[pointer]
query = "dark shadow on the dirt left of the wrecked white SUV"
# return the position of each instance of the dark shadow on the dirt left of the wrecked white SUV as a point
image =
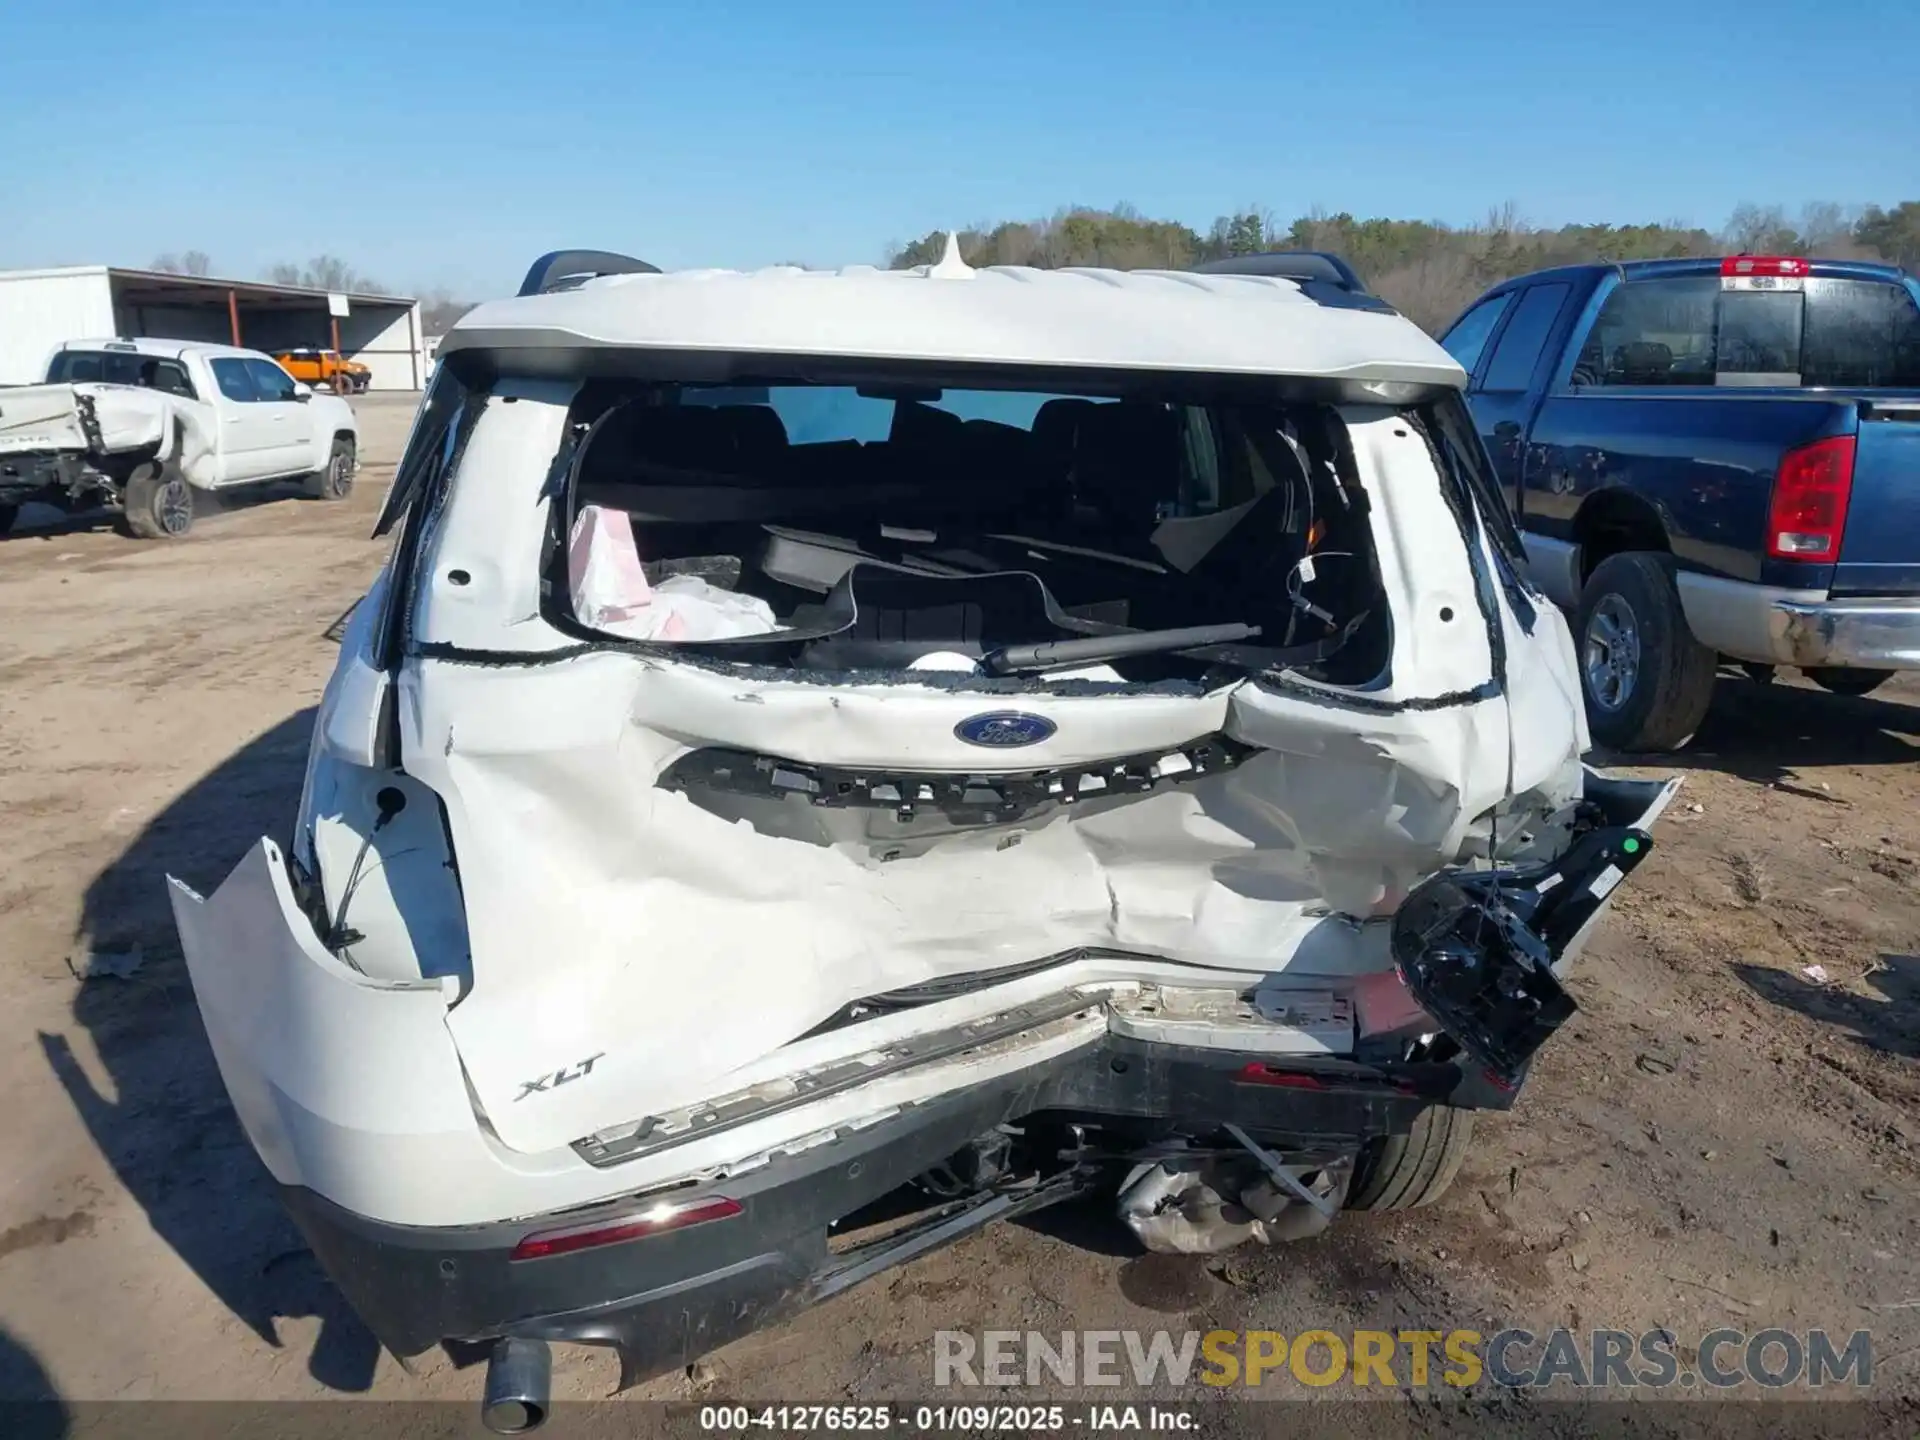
(164, 1120)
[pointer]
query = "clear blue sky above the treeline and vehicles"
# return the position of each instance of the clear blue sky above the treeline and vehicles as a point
(452, 143)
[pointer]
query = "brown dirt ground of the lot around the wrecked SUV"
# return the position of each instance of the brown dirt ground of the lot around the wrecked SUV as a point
(1717, 1140)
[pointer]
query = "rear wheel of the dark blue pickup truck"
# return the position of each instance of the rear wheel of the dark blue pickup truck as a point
(1646, 681)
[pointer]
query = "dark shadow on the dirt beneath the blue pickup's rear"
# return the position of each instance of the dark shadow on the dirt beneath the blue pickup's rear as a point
(1767, 734)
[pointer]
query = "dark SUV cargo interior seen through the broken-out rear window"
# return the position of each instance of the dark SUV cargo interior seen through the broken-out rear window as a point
(890, 525)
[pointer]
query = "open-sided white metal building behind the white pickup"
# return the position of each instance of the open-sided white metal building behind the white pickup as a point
(39, 310)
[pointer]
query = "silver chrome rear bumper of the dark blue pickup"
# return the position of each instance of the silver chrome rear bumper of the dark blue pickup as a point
(1802, 629)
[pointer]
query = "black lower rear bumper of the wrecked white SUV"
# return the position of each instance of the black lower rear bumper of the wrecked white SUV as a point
(667, 1299)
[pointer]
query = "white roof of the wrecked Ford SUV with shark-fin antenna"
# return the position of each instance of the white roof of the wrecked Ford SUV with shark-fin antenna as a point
(999, 316)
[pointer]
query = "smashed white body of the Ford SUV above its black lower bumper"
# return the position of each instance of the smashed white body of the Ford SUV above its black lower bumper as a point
(640, 911)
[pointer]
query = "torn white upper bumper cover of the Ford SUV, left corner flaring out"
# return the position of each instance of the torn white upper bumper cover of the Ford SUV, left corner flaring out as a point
(352, 1086)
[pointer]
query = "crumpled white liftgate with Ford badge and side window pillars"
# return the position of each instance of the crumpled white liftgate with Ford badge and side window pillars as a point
(608, 913)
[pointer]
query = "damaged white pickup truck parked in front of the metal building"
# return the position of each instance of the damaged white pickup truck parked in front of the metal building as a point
(141, 425)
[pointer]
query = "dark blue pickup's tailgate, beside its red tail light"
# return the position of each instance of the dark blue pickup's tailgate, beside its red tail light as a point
(1881, 552)
